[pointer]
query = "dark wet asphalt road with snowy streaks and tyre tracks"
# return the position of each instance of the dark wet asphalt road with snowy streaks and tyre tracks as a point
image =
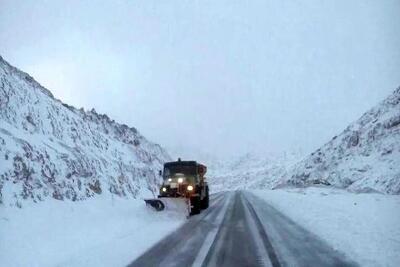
(240, 229)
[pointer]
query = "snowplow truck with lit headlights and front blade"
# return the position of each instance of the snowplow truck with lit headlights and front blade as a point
(184, 188)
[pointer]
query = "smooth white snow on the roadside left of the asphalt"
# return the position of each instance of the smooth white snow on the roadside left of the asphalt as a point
(101, 231)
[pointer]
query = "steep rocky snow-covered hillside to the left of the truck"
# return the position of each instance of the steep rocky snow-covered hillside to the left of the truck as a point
(49, 149)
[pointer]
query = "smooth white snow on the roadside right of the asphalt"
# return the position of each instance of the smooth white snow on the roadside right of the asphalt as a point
(363, 226)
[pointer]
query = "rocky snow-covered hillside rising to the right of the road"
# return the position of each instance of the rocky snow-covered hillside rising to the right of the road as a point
(364, 157)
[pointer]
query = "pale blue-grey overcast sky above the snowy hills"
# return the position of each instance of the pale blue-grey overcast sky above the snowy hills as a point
(216, 77)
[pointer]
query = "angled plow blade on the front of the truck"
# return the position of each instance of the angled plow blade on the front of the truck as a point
(180, 205)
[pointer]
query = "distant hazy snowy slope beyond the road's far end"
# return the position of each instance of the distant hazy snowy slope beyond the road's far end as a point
(249, 171)
